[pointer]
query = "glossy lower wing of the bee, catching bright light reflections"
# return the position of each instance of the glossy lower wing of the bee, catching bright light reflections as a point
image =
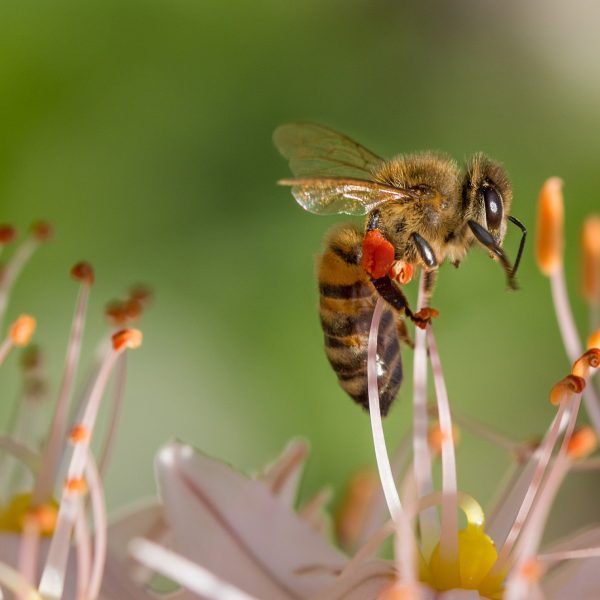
(335, 195)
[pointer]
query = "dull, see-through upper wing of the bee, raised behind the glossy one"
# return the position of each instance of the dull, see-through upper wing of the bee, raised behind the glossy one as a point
(317, 151)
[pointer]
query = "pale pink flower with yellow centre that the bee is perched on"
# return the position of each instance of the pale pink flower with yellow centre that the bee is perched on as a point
(239, 538)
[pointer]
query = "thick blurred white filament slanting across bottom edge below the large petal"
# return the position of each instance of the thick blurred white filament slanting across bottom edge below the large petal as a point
(185, 572)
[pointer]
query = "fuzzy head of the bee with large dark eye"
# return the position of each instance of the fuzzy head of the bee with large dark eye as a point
(487, 195)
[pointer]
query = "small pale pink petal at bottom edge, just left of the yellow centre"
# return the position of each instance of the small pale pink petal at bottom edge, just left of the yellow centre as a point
(365, 582)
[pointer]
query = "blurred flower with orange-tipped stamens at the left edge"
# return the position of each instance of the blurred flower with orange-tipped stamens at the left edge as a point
(43, 503)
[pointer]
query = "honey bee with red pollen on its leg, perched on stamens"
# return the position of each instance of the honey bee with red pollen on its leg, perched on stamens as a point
(421, 209)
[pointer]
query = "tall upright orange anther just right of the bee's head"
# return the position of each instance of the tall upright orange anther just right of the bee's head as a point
(549, 242)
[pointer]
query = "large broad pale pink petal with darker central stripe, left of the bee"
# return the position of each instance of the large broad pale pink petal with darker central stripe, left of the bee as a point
(234, 527)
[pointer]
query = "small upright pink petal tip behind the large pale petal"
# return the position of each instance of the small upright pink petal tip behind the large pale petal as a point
(284, 474)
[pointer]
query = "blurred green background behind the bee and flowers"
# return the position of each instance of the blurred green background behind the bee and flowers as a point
(142, 130)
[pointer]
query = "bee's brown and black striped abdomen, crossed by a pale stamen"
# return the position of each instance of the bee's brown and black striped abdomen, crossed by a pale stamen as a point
(346, 307)
